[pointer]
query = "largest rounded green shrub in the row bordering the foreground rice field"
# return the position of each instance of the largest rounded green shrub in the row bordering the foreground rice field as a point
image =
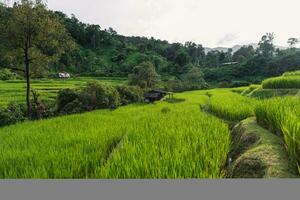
(98, 96)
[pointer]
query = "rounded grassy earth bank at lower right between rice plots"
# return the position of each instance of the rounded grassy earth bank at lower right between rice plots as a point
(257, 153)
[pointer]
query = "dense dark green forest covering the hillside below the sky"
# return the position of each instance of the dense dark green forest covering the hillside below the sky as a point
(104, 52)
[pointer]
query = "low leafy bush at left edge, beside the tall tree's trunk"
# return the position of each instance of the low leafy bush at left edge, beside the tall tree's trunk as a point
(12, 114)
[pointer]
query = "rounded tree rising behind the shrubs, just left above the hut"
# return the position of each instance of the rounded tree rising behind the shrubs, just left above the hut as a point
(144, 75)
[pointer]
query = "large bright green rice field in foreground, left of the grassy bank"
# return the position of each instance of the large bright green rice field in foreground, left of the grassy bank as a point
(165, 140)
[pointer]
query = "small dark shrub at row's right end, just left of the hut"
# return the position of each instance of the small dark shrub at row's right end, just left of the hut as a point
(130, 94)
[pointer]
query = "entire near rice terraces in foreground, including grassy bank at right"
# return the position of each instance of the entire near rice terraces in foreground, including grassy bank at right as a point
(220, 133)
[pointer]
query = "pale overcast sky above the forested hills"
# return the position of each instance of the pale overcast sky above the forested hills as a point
(208, 22)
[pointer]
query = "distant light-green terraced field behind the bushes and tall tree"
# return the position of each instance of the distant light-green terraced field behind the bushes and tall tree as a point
(14, 91)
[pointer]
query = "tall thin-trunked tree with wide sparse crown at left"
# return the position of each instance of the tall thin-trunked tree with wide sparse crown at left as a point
(36, 37)
